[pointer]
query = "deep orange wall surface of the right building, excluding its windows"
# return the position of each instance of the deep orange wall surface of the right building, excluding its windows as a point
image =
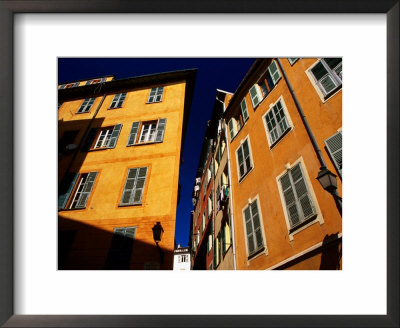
(325, 119)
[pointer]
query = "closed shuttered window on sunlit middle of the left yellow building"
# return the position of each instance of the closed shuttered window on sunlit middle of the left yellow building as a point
(134, 186)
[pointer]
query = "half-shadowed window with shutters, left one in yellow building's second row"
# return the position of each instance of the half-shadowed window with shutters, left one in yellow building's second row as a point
(102, 138)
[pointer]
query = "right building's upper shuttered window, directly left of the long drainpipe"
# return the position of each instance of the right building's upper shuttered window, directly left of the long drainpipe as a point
(276, 123)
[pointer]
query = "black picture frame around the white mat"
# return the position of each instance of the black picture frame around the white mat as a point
(7, 11)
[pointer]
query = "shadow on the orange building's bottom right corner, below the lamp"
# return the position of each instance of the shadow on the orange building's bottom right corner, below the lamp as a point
(326, 257)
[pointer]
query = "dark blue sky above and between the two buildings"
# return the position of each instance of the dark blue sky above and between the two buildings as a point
(212, 74)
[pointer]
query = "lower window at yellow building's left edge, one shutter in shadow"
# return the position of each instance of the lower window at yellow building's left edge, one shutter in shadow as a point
(75, 189)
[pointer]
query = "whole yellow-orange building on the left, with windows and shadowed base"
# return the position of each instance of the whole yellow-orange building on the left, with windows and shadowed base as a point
(120, 146)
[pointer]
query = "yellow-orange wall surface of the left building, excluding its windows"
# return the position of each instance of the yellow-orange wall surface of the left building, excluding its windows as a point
(102, 212)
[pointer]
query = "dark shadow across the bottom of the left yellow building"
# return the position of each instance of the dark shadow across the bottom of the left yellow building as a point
(84, 247)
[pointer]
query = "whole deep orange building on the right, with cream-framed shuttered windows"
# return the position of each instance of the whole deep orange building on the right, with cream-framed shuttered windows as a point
(284, 124)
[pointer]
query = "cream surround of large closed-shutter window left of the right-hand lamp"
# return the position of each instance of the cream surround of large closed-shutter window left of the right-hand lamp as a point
(314, 218)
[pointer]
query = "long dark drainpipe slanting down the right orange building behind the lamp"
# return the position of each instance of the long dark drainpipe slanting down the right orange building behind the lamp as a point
(318, 151)
